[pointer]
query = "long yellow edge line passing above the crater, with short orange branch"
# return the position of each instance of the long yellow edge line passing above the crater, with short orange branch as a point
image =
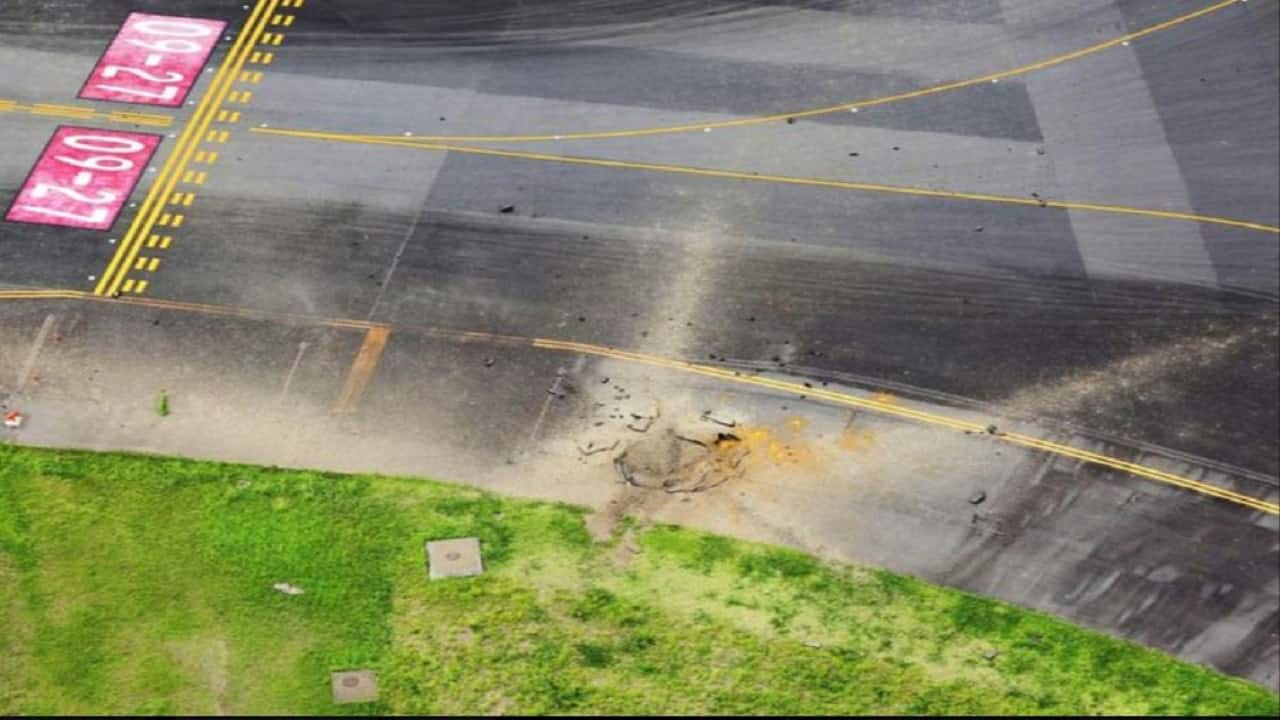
(876, 403)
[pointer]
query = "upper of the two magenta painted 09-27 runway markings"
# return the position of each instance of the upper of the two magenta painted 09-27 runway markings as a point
(154, 61)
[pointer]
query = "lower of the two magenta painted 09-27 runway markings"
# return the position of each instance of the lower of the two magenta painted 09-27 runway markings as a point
(84, 179)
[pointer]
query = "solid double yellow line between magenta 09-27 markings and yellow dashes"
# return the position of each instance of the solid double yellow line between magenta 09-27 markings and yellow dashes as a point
(190, 139)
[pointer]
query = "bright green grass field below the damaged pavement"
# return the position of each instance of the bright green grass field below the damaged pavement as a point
(144, 585)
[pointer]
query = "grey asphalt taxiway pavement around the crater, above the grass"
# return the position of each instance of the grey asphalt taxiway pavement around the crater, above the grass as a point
(1154, 336)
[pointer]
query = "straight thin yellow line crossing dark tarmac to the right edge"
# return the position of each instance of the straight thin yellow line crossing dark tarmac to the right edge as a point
(780, 180)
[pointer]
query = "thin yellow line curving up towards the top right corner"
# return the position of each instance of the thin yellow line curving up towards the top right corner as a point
(845, 107)
